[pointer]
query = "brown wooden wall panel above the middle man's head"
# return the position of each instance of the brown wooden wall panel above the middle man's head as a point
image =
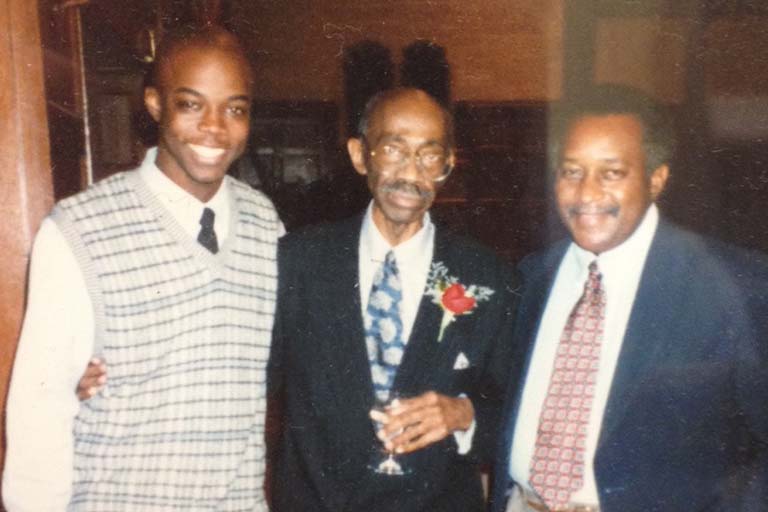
(498, 50)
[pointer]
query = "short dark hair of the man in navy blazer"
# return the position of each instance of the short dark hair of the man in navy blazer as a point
(659, 139)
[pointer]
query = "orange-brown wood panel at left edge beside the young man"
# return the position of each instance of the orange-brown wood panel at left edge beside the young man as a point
(25, 185)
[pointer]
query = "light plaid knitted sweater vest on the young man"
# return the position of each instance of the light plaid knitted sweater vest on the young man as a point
(185, 335)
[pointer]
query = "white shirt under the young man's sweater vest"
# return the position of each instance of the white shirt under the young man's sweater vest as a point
(57, 341)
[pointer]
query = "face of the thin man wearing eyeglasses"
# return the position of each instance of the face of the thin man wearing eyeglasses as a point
(401, 194)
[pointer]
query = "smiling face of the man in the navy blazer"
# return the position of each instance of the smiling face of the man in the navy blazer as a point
(602, 187)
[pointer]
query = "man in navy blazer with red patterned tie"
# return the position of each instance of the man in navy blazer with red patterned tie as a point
(644, 384)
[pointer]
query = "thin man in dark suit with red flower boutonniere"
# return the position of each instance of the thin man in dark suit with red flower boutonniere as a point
(387, 305)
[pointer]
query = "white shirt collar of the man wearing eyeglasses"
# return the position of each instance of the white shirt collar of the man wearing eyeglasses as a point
(373, 242)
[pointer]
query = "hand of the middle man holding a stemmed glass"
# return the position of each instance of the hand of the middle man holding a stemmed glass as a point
(411, 424)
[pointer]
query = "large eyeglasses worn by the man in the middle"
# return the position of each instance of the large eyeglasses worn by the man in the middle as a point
(432, 159)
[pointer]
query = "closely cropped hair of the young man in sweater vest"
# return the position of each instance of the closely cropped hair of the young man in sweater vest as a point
(203, 36)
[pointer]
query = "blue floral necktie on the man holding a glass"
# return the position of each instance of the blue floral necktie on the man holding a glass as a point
(384, 327)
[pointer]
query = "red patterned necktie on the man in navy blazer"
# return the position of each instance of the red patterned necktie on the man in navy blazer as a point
(557, 467)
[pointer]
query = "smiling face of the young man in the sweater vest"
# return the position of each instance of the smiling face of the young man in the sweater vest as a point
(202, 104)
